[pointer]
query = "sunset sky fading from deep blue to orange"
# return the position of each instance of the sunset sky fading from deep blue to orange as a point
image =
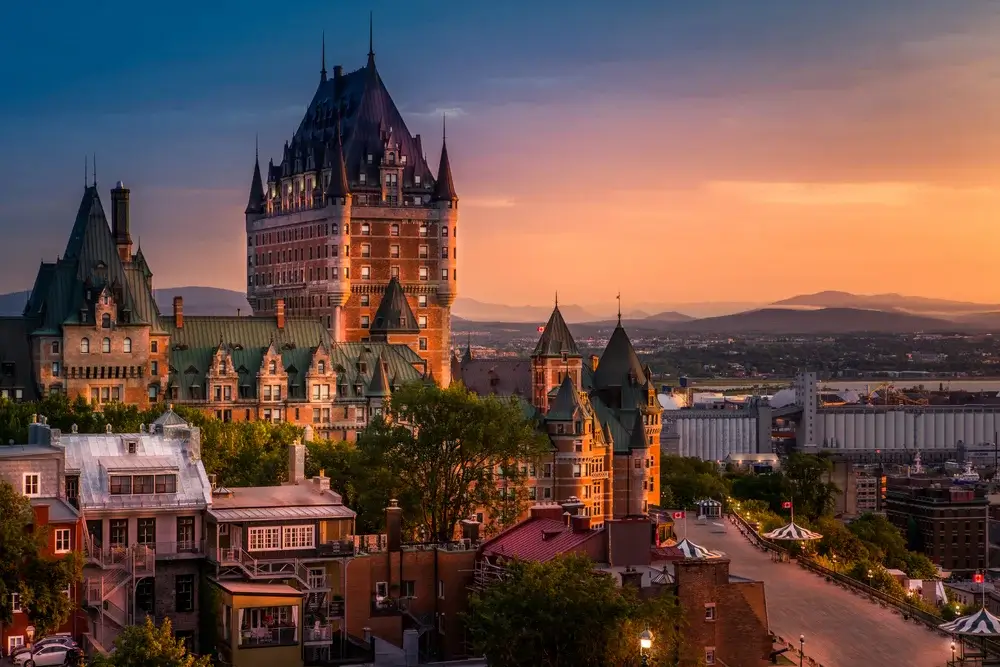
(673, 151)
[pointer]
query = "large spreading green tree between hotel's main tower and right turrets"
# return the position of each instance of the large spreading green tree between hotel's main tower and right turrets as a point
(454, 452)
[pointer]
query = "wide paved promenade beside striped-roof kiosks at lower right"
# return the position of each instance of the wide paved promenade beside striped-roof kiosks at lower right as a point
(841, 628)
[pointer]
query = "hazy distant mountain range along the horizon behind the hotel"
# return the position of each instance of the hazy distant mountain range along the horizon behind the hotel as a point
(820, 313)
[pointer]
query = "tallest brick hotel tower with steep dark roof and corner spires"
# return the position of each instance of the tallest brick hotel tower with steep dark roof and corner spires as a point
(352, 204)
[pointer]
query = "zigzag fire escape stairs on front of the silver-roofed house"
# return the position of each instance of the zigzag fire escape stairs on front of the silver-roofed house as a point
(119, 568)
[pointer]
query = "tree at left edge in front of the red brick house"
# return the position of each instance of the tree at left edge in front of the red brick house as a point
(26, 569)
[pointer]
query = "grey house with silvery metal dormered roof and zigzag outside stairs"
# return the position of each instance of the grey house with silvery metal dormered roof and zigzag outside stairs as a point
(143, 497)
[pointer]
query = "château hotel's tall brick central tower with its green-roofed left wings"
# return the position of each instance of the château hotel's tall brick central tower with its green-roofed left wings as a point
(351, 274)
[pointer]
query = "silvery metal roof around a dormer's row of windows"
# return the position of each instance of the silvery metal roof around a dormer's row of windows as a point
(92, 454)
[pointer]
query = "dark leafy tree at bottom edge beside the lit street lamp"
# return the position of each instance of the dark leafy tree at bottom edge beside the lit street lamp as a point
(561, 613)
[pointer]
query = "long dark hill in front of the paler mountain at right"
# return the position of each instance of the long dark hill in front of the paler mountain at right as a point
(823, 320)
